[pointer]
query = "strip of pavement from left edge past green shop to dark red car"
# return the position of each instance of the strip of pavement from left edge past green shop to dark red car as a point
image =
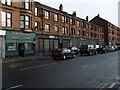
(27, 58)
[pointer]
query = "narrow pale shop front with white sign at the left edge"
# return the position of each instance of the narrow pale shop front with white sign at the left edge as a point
(2, 43)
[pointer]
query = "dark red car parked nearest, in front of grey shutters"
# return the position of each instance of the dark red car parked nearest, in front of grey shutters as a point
(63, 53)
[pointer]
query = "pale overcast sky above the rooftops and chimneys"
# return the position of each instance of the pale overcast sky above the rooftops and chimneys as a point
(107, 9)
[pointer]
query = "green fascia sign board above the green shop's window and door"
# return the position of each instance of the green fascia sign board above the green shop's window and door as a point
(17, 35)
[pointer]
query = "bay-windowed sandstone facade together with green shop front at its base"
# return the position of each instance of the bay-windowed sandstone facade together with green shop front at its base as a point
(17, 23)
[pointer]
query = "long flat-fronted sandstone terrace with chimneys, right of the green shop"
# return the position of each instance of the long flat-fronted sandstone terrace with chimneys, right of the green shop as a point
(57, 28)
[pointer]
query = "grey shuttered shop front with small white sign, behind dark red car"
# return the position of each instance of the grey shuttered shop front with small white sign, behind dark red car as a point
(45, 44)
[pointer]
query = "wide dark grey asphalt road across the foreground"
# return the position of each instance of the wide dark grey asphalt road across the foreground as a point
(80, 72)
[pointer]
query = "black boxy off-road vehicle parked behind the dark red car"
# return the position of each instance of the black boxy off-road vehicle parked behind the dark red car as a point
(87, 49)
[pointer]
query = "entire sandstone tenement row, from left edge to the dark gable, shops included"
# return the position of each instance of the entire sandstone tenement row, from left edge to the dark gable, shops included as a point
(29, 27)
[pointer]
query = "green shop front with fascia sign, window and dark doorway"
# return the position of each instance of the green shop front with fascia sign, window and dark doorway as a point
(19, 44)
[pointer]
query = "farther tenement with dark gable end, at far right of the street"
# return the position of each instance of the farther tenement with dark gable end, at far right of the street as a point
(111, 32)
